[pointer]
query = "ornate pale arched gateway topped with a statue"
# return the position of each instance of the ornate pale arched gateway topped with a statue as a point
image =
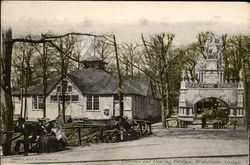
(210, 83)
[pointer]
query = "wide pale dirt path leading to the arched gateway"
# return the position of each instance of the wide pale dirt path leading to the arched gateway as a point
(165, 146)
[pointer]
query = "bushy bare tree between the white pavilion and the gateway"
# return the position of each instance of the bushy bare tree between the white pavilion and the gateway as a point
(158, 61)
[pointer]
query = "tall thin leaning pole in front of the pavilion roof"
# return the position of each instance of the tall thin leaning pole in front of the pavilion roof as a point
(120, 79)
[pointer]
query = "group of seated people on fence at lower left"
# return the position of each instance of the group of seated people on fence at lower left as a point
(49, 136)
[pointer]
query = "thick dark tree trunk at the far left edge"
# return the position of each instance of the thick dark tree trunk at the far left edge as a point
(7, 111)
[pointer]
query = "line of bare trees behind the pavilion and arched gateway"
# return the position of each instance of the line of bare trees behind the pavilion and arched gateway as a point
(35, 59)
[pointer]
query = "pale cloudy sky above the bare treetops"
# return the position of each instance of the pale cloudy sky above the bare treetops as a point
(127, 20)
